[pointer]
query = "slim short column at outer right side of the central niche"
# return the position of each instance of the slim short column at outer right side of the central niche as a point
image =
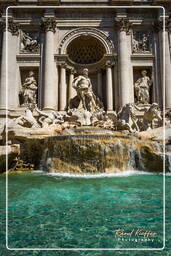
(109, 86)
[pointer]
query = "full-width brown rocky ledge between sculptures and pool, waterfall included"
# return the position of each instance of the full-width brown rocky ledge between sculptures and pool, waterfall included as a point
(87, 150)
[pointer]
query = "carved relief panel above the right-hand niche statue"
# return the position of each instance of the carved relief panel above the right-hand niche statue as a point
(141, 42)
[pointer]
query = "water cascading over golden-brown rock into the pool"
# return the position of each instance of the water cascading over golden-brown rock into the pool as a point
(91, 153)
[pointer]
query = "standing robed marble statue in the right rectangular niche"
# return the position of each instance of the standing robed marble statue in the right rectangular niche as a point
(142, 88)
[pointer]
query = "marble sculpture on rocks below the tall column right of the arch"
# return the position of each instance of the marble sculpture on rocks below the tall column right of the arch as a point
(127, 119)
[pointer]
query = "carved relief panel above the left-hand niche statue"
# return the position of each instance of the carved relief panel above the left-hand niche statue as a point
(29, 44)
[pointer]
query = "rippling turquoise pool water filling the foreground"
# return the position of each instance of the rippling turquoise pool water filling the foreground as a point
(62, 212)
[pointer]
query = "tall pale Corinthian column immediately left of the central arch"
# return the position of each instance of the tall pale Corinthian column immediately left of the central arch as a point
(50, 88)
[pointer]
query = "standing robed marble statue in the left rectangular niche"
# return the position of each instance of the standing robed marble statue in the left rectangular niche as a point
(29, 90)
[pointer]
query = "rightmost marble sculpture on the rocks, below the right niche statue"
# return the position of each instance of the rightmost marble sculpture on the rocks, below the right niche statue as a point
(151, 116)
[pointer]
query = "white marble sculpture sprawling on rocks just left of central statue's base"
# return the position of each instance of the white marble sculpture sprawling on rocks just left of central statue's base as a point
(47, 119)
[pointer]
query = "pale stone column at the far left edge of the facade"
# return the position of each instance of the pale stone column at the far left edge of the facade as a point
(9, 48)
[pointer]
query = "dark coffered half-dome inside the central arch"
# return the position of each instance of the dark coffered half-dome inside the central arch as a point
(85, 49)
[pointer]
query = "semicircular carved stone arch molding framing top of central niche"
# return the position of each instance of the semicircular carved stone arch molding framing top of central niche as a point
(108, 44)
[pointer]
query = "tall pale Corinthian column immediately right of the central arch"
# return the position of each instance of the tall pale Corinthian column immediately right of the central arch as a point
(126, 87)
